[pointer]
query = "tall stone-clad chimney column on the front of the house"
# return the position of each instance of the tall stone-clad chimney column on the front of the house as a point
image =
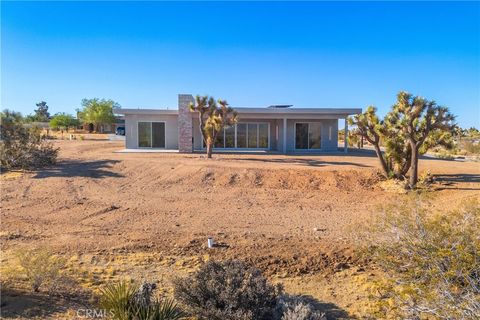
(185, 126)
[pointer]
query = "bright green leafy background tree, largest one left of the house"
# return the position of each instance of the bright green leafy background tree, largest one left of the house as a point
(98, 112)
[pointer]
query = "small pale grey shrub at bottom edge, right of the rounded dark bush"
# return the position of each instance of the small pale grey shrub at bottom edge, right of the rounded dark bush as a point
(297, 308)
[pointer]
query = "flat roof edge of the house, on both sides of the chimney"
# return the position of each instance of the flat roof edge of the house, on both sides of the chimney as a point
(250, 110)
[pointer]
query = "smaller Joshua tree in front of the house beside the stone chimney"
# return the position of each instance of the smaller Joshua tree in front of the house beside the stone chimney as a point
(213, 117)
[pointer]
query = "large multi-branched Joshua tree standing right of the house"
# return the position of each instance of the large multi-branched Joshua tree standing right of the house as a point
(413, 126)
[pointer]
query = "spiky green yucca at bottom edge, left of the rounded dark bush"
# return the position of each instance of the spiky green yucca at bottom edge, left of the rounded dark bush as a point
(126, 301)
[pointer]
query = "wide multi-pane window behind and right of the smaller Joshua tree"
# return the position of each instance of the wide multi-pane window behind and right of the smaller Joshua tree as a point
(244, 135)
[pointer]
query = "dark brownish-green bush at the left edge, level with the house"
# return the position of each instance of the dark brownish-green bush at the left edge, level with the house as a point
(22, 146)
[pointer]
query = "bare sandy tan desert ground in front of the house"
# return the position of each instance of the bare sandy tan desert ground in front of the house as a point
(147, 216)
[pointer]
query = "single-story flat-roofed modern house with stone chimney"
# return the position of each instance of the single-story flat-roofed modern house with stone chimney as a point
(276, 128)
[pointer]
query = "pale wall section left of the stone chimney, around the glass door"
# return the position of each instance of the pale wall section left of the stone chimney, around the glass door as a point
(171, 129)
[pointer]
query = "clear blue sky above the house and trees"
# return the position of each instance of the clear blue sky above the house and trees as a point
(310, 54)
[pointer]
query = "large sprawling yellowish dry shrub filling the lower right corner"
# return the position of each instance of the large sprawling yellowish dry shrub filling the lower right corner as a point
(432, 261)
